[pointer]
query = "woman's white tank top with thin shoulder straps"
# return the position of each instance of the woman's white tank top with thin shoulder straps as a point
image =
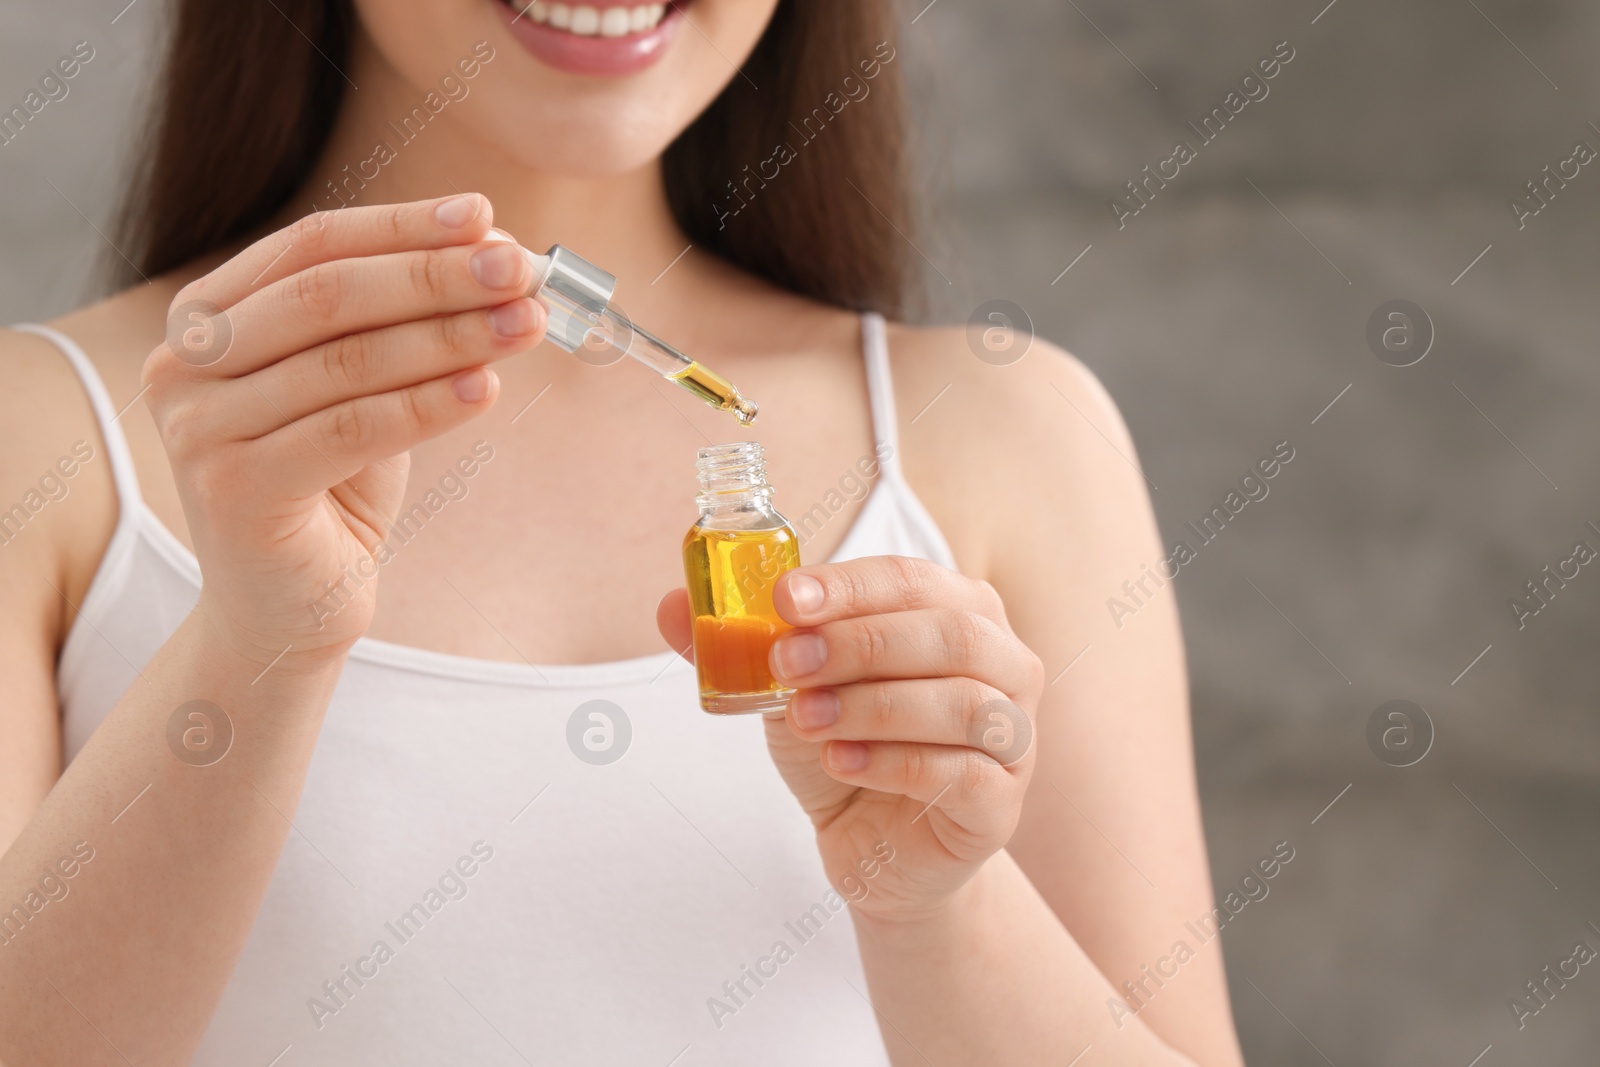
(462, 889)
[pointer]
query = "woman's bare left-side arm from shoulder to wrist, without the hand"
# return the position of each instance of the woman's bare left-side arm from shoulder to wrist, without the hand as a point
(100, 866)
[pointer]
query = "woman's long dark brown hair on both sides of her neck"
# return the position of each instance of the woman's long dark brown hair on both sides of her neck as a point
(783, 175)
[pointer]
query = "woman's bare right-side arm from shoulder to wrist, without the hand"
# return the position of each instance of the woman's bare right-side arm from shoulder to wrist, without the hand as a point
(1031, 959)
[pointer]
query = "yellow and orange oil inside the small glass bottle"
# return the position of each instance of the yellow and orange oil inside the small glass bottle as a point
(730, 580)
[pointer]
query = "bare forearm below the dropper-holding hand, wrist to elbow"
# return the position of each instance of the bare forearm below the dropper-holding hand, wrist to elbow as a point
(151, 868)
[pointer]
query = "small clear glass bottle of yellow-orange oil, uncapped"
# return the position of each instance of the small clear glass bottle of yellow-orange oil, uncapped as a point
(732, 559)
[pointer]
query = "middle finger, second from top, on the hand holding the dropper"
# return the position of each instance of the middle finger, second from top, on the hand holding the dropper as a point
(345, 297)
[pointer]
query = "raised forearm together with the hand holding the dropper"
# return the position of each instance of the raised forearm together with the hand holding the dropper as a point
(142, 873)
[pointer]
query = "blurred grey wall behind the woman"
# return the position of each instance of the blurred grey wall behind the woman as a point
(1226, 318)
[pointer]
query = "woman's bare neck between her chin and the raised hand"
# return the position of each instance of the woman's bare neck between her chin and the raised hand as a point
(618, 222)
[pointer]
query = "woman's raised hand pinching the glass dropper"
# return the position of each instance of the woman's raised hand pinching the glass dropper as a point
(294, 382)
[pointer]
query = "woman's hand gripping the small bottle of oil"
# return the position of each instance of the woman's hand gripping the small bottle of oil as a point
(913, 722)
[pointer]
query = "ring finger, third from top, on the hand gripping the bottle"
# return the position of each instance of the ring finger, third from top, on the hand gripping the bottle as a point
(927, 711)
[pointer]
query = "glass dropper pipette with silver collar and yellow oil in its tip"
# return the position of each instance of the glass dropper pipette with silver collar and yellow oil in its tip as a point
(578, 297)
